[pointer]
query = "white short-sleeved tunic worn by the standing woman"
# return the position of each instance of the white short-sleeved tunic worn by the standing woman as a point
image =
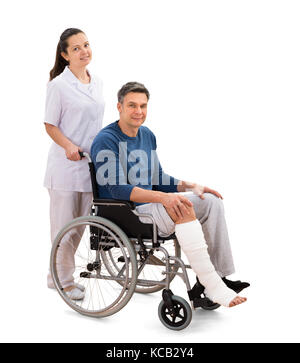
(77, 110)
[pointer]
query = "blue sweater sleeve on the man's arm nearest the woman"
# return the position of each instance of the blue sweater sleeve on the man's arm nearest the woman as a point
(110, 172)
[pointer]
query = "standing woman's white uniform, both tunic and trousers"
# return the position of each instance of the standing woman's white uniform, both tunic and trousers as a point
(77, 110)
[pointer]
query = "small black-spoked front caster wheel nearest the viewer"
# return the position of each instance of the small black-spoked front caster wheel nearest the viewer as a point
(181, 316)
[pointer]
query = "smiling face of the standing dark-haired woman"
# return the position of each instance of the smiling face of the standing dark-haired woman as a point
(79, 53)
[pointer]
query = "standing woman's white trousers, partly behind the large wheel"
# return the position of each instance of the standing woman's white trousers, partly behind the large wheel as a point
(65, 206)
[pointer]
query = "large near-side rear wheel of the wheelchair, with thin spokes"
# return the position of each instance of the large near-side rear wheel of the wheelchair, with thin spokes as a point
(86, 237)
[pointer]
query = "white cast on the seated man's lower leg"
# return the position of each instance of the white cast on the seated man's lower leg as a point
(192, 242)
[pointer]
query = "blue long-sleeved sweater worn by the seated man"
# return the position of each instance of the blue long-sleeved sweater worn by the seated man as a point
(123, 162)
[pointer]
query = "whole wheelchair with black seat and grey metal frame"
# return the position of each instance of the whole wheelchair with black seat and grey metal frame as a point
(116, 255)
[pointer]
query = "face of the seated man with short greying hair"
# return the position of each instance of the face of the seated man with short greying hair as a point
(133, 109)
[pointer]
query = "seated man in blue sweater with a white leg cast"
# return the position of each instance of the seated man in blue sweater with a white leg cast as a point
(127, 168)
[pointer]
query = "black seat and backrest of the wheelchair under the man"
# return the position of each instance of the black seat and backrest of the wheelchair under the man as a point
(121, 213)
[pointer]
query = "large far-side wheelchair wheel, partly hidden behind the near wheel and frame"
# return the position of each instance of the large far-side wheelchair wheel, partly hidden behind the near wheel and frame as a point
(151, 269)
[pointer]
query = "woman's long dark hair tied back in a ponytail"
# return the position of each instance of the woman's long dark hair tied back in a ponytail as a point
(60, 62)
